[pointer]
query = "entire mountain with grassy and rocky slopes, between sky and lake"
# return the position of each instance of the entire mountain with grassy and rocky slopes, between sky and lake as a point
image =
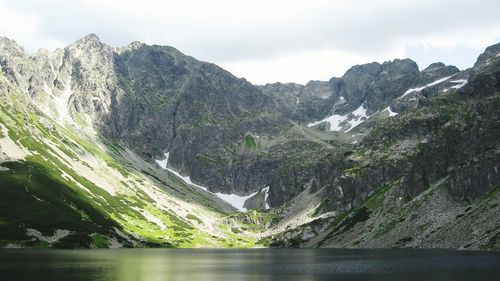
(145, 146)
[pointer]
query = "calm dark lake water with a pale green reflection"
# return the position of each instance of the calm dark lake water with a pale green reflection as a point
(255, 264)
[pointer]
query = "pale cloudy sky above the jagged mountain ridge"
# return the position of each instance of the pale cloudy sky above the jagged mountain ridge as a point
(269, 40)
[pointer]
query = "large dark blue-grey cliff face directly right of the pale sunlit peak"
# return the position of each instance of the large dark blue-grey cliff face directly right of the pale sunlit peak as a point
(196, 111)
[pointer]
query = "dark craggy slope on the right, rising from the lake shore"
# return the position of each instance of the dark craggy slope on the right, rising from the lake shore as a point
(428, 177)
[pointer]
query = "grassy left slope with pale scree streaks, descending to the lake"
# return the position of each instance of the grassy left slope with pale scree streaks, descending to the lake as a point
(46, 191)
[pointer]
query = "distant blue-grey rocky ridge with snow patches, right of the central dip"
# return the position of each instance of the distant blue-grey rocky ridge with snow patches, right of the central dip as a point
(375, 85)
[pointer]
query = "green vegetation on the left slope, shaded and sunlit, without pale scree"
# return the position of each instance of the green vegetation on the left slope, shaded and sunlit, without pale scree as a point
(45, 193)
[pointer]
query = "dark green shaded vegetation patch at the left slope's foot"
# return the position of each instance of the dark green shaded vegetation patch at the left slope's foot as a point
(36, 198)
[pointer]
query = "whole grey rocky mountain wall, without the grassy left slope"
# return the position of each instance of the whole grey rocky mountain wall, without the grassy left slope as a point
(350, 162)
